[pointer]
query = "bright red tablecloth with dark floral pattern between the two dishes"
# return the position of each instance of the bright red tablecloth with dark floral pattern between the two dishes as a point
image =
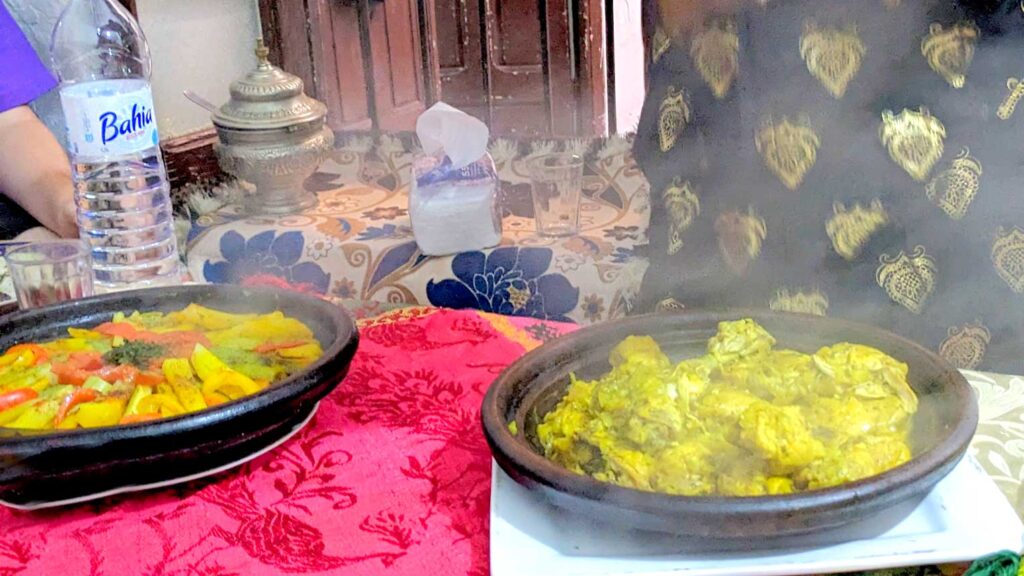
(393, 476)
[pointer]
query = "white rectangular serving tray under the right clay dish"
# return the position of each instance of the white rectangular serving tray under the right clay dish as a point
(966, 517)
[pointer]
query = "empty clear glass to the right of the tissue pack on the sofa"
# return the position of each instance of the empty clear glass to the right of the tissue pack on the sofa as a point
(558, 184)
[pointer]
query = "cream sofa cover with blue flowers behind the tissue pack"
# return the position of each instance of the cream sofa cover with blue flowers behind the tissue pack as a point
(358, 246)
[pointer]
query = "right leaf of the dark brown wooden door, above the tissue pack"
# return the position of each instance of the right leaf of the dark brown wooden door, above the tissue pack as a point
(522, 66)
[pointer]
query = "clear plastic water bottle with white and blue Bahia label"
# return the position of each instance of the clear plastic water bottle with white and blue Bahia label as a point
(121, 190)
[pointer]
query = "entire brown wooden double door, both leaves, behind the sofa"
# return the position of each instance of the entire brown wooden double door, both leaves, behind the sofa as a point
(531, 68)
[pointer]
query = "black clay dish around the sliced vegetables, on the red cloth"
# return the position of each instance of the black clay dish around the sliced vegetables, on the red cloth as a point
(48, 468)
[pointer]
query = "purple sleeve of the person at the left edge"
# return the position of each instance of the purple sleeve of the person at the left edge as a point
(24, 78)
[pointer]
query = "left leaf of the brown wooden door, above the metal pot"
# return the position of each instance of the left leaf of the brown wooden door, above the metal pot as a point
(367, 61)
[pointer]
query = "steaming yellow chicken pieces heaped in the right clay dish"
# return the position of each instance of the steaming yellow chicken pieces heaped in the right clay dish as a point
(744, 421)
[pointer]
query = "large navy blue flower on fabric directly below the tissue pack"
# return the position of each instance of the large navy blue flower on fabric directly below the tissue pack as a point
(509, 281)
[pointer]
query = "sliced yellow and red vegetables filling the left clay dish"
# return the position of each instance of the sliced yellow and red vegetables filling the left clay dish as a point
(149, 366)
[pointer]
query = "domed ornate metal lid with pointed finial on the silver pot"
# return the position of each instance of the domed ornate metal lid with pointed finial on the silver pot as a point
(268, 99)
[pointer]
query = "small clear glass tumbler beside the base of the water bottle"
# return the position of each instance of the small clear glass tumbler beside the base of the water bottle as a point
(48, 273)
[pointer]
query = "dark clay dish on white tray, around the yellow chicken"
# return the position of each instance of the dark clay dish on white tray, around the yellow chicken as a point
(943, 429)
